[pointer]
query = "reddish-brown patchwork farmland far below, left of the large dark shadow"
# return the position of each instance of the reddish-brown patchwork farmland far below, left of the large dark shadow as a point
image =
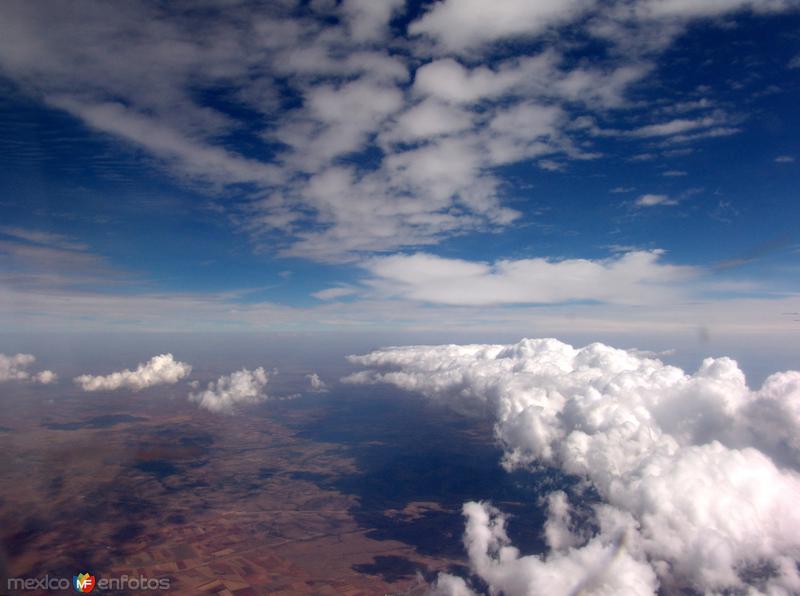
(219, 505)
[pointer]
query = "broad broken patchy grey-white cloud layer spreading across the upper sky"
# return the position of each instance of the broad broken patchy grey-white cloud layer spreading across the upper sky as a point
(141, 73)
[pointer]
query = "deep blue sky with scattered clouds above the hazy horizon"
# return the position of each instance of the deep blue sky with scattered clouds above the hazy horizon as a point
(626, 166)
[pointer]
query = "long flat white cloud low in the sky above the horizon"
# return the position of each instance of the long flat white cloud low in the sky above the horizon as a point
(632, 278)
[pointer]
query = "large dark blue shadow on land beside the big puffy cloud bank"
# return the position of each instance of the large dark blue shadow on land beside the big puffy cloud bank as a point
(409, 451)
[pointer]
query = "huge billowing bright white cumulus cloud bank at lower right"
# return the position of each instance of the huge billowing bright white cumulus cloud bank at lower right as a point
(697, 472)
